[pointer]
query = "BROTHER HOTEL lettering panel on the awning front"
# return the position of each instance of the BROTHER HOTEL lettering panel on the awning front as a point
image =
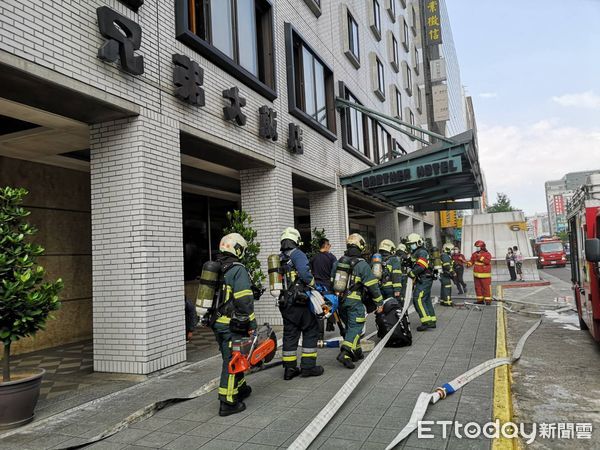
(413, 173)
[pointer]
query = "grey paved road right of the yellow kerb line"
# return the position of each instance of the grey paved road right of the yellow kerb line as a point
(556, 381)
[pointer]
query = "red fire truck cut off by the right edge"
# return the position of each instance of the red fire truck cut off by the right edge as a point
(584, 234)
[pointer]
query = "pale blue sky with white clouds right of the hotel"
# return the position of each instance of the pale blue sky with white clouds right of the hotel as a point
(533, 70)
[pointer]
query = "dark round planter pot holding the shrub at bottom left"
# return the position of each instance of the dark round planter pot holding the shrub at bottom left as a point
(18, 398)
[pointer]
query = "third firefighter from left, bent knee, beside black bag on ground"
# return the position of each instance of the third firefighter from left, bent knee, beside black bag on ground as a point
(360, 283)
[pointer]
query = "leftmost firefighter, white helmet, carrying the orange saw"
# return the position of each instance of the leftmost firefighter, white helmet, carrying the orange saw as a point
(234, 320)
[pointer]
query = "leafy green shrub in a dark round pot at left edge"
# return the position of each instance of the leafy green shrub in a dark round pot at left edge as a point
(26, 302)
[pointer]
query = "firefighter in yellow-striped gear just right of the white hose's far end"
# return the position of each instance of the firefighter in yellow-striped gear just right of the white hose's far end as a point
(422, 274)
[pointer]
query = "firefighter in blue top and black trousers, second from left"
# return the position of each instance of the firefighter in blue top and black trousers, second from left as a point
(297, 317)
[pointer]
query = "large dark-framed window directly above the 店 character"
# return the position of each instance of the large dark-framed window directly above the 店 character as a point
(310, 85)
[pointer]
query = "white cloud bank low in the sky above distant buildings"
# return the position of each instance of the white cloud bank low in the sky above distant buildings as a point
(517, 160)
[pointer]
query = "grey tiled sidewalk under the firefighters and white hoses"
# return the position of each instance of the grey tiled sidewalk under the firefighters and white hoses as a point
(278, 410)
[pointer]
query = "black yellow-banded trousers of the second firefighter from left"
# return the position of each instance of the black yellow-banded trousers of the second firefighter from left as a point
(299, 321)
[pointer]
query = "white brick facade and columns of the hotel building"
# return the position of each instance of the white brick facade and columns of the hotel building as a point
(135, 163)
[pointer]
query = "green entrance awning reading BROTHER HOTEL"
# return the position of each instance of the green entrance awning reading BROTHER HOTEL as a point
(438, 173)
